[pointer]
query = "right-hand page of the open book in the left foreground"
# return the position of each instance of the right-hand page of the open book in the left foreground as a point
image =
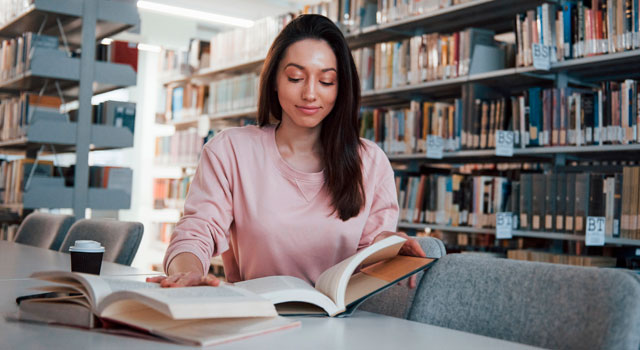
(195, 302)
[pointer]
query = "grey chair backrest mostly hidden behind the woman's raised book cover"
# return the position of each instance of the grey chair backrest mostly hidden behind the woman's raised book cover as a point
(396, 300)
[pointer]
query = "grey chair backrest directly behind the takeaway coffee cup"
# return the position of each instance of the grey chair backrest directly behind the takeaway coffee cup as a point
(120, 238)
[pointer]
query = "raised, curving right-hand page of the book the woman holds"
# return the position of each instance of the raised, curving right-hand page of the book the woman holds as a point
(333, 282)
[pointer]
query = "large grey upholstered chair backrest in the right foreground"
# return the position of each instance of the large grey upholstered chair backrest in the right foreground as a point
(546, 305)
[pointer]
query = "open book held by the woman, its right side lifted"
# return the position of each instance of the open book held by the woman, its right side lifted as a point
(340, 289)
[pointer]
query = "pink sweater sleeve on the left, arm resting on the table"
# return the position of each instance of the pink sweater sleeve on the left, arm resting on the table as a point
(203, 230)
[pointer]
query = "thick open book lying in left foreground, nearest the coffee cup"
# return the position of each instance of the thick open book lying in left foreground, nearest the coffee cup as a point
(193, 315)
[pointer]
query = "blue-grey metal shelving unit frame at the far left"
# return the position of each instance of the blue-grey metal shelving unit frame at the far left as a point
(81, 23)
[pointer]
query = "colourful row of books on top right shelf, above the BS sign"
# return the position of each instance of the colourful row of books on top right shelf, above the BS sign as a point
(578, 29)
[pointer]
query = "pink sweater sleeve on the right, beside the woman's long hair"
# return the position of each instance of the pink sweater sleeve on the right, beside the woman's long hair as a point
(384, 207)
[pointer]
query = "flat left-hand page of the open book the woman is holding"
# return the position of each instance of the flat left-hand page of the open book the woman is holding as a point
(288, 289)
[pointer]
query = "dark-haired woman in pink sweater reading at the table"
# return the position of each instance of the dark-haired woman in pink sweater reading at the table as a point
(294, 198)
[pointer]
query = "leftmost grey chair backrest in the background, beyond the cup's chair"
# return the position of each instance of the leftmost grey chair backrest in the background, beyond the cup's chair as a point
(44, 230)
